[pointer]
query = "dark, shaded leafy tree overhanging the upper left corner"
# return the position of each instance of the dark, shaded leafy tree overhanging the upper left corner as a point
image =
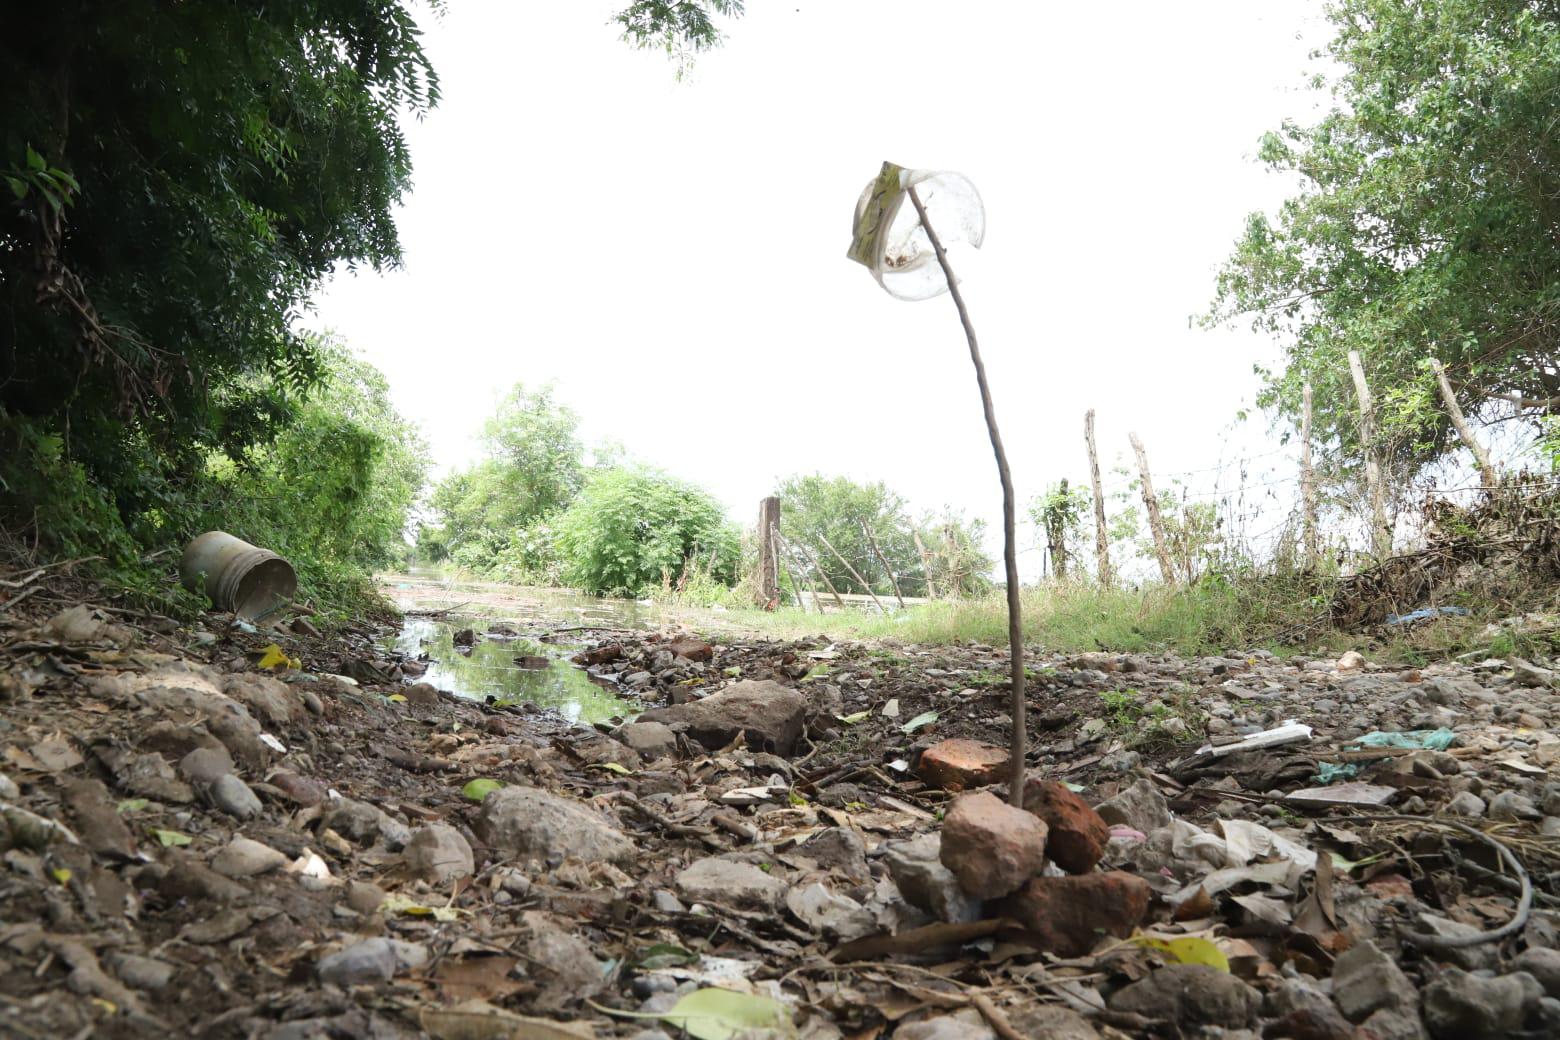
(229, 158)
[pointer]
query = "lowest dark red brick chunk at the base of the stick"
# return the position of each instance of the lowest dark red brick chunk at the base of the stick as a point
(1069, 916)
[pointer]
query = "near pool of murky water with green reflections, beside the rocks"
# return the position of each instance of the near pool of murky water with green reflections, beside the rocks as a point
(491, 670)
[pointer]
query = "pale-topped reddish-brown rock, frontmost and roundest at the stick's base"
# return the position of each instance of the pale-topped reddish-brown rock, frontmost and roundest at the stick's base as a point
(990, 846)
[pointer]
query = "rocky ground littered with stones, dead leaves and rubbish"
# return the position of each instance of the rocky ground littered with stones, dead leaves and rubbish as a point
(205, 837)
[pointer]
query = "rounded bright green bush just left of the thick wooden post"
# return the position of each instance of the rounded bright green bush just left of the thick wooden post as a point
(633, 529)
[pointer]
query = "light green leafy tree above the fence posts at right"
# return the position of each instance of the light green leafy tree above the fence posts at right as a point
(1428, 224)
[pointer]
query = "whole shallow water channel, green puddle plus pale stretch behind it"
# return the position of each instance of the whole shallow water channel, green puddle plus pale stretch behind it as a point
(511, 668)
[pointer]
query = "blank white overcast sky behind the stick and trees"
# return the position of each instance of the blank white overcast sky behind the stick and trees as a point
(672, 255)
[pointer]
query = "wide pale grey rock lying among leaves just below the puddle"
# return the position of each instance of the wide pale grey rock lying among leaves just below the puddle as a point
(528, 822)
